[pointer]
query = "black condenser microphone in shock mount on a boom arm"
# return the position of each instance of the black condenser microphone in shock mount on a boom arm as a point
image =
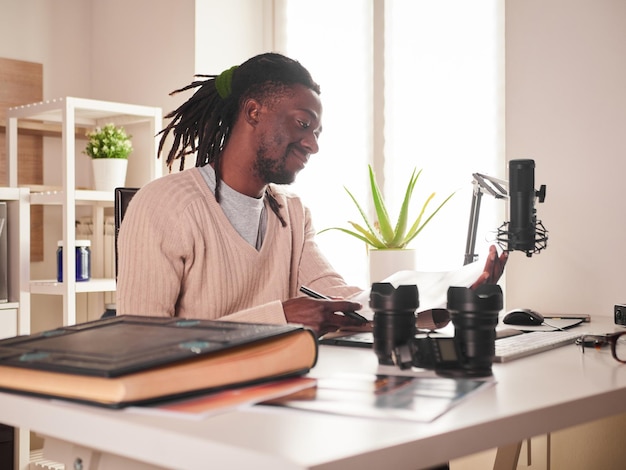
(524, 232)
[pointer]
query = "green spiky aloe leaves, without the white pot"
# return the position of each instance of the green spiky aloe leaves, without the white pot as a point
(381, 234)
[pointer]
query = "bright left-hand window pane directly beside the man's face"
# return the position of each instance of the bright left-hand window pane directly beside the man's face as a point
(338, 55)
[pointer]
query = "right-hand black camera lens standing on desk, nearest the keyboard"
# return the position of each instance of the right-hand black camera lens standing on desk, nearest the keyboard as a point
(474, 313)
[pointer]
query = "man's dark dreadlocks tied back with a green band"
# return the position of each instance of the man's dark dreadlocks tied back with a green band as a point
(203, 124)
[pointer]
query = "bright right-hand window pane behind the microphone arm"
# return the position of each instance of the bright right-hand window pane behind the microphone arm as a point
(443, 113)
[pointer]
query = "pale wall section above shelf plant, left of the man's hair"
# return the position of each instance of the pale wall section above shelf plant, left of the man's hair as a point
(141, 49)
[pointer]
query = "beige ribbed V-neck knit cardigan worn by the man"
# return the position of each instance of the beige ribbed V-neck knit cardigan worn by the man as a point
(180, 256)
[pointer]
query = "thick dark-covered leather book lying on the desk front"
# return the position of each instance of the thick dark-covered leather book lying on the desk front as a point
(132, 359)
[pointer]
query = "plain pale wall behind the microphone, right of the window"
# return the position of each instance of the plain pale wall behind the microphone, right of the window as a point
(566, 108)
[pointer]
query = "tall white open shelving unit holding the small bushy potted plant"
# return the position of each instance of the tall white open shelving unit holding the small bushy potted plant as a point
(69, 114)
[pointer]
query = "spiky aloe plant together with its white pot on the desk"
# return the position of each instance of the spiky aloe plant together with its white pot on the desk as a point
(382, 237)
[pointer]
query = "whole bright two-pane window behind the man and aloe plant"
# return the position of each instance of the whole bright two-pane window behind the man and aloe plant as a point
(442, 110)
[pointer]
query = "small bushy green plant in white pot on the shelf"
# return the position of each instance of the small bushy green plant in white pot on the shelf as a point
(109, 147)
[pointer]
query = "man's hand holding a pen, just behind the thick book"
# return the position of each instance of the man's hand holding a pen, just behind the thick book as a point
(320, 315)
